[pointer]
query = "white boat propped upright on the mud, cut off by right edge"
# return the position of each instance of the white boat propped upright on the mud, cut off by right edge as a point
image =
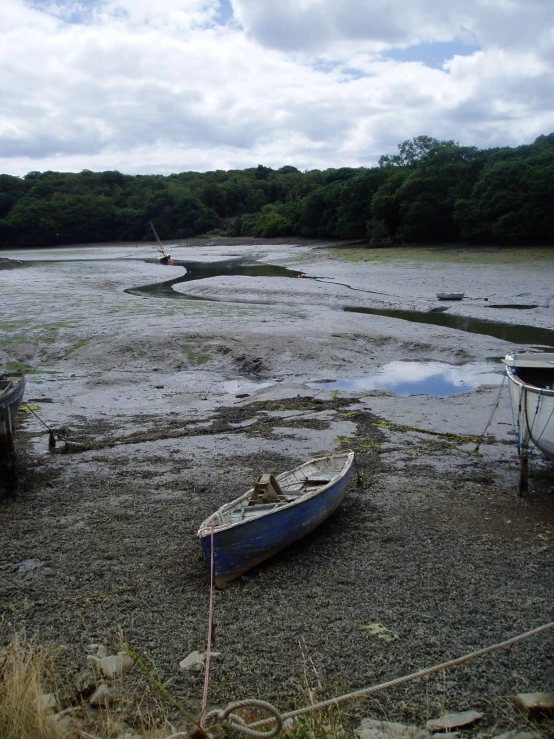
(531, 383)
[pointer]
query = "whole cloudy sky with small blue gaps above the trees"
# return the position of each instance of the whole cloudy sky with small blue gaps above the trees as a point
(162, 86)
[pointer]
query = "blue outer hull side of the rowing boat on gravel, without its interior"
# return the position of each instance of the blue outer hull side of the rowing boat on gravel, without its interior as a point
(239, 547)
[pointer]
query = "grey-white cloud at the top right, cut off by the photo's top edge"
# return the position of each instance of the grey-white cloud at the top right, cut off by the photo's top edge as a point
(316, 24)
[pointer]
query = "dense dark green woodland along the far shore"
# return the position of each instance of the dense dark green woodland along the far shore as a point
(429, 191)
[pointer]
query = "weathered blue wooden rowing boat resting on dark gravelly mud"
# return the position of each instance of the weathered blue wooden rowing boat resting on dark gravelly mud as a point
(277, 511)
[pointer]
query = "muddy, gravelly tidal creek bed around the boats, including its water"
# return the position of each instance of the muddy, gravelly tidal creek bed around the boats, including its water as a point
(173, 388)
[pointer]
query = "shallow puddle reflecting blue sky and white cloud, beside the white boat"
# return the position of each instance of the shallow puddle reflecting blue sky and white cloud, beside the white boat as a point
(418, 378)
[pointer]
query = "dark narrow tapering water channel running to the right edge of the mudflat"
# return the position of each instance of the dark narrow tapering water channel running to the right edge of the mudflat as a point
(515, 334)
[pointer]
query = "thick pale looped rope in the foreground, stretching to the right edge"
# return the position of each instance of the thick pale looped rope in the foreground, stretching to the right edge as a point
(250, 729)
